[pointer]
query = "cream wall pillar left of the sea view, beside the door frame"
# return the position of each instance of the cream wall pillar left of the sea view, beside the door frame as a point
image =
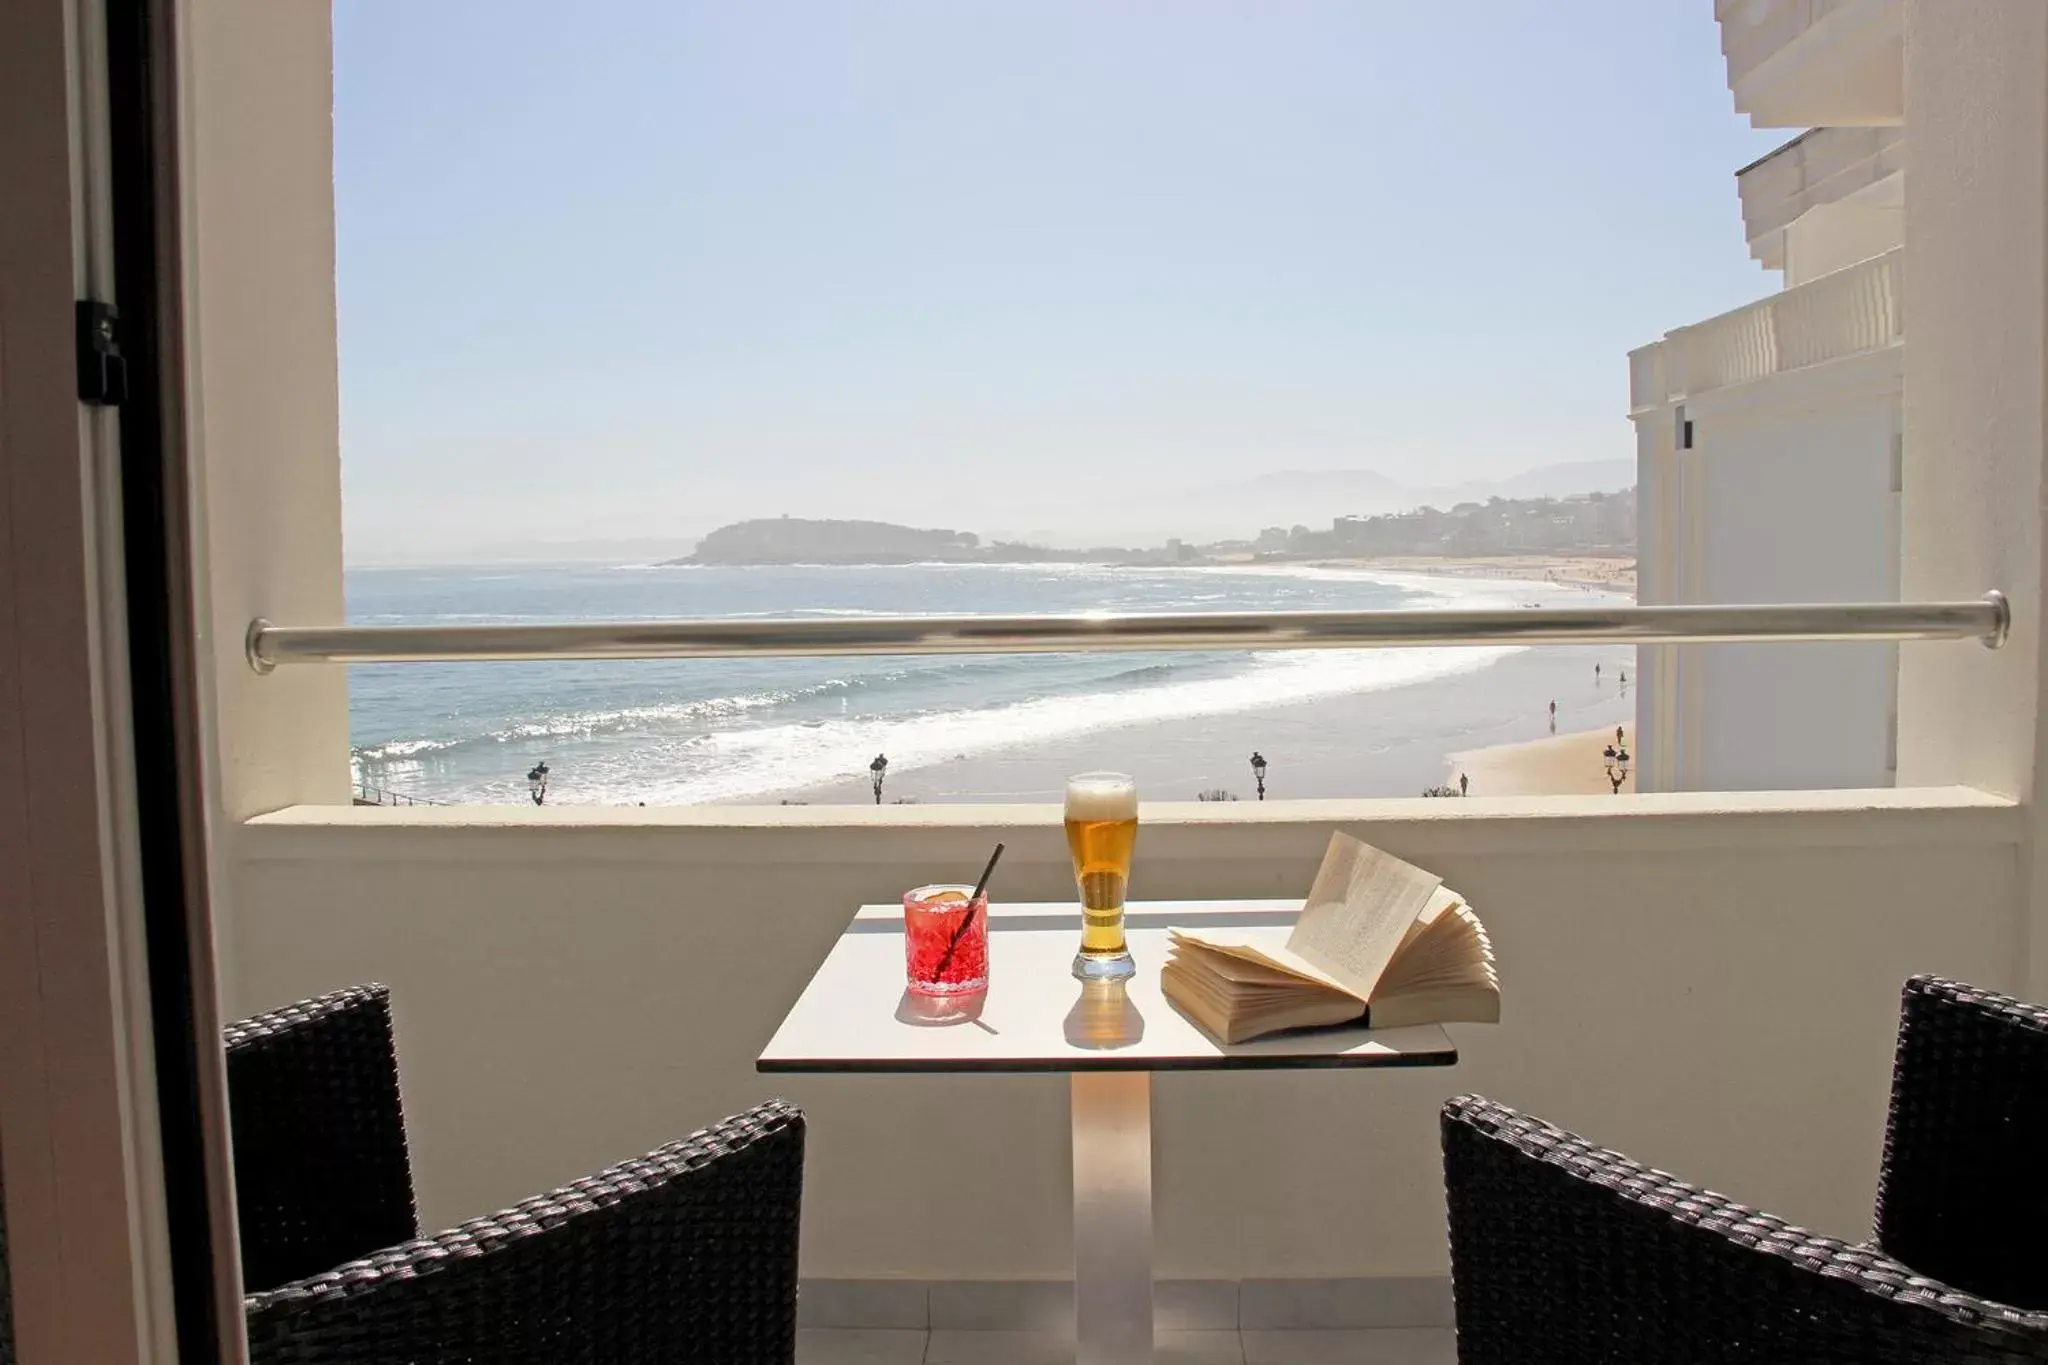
(265, 390)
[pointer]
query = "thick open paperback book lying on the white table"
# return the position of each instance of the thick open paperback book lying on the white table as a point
(1379, 942)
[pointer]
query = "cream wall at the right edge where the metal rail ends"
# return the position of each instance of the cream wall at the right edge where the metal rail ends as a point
(1977, 400)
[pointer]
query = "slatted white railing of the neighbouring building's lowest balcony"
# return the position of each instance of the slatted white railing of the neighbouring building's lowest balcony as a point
(1844, 314)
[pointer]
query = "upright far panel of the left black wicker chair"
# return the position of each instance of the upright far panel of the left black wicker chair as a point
(318, 1137)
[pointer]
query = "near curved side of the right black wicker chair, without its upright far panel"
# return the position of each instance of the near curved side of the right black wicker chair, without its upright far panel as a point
(1564, 1251)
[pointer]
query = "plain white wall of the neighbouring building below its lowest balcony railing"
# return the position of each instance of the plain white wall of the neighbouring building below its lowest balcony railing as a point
(1785, 496)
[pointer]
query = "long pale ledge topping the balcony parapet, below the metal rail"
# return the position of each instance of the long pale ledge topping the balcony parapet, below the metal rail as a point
(1875, 818)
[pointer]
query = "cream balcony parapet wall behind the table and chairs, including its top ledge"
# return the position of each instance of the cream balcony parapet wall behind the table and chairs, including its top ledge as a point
(1709, 985)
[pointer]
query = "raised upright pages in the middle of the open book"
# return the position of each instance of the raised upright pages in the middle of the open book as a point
(1359, 910)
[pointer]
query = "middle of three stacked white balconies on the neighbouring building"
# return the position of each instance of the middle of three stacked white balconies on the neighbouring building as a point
(1826, 200)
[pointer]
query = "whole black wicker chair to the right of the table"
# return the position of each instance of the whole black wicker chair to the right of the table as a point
(1564, 1251)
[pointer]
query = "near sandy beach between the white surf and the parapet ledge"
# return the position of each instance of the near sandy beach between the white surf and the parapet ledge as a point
(1371, 744)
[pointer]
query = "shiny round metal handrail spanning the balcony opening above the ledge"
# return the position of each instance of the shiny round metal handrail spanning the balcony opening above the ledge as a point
(1986, 621)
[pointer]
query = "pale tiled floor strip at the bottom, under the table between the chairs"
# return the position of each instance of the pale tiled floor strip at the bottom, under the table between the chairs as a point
(1363, 1348)
